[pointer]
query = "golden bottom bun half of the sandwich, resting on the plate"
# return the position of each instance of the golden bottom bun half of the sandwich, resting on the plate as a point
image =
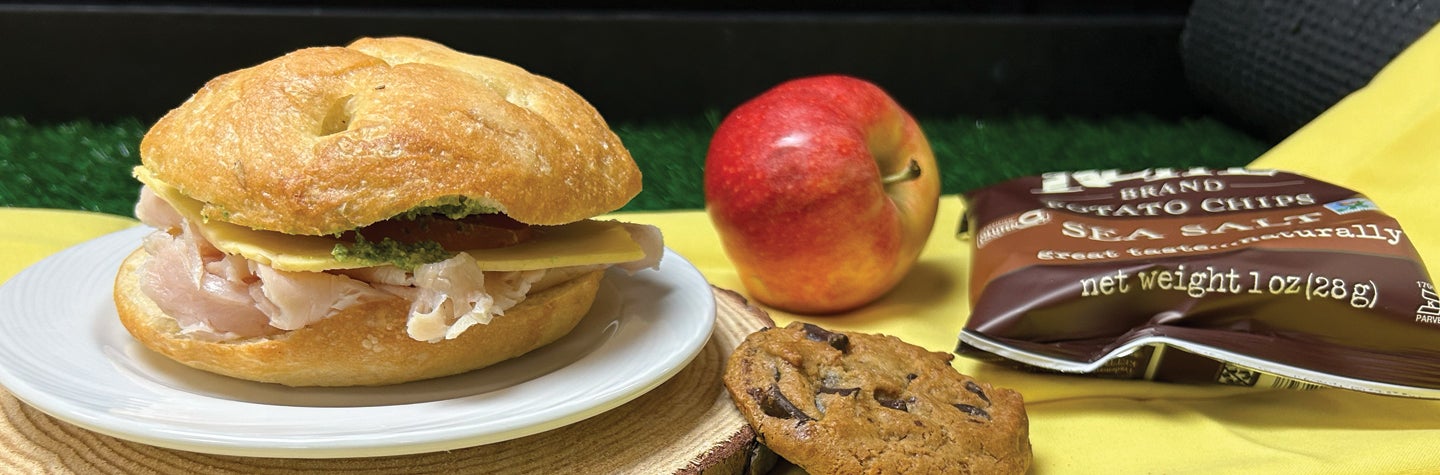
(362, 346)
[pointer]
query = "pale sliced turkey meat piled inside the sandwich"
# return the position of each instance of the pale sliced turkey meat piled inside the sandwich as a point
(222, 297)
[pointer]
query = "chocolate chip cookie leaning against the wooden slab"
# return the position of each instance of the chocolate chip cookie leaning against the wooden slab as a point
(863, 404)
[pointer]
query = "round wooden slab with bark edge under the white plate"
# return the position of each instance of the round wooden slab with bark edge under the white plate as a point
(688, 425)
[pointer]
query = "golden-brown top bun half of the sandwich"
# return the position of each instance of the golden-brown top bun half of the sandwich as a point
(326, 140)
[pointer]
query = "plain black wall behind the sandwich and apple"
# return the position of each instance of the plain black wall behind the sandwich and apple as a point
(633, 60)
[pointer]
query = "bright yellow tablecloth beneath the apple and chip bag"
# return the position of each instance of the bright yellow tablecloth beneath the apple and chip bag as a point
(1383, 140)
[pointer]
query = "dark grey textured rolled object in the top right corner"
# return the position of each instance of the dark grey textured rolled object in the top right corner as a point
(1277, 65)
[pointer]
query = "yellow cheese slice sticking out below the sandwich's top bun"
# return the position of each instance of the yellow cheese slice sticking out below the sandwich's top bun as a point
(587, 243)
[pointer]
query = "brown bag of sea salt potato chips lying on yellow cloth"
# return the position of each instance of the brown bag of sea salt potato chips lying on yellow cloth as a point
(1236, 277)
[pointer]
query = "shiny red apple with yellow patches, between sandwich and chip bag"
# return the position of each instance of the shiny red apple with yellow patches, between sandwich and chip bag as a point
(823, 192)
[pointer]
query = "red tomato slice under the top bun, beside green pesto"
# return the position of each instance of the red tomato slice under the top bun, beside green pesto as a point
(470, 232)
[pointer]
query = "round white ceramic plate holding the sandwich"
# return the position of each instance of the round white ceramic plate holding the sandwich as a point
(64, 352)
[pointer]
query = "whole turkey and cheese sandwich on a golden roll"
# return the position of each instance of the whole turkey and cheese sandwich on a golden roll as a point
(379, 214)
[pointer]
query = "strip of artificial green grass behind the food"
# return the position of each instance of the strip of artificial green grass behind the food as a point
(86, 166)
